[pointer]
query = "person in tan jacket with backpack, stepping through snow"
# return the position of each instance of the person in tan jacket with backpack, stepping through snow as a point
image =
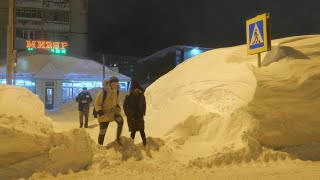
(107, 107)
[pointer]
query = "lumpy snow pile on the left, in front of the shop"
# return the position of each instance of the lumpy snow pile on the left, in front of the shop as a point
(28, 142)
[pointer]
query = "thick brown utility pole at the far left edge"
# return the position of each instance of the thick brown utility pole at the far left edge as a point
(10, 41)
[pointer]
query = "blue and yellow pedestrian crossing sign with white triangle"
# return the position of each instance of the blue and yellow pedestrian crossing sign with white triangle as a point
(258, 34)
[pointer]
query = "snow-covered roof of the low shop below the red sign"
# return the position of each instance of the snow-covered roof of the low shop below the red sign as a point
(44, 66)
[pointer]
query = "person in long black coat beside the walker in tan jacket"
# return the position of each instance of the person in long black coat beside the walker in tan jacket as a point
(135, 108)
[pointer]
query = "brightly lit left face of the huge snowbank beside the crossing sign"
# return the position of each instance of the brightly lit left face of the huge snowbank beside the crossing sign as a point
(193, 104)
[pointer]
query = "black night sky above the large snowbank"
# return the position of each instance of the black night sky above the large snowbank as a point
(141, 27)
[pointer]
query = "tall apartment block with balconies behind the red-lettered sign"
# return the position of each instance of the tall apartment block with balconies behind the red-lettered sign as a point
(47, 20)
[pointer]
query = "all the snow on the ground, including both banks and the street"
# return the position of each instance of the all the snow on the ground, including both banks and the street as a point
(215, 116)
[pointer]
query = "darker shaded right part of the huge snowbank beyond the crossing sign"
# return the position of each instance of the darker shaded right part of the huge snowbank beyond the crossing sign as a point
(287, 100)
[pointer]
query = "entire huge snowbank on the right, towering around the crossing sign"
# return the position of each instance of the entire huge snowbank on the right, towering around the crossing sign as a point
(219, 108)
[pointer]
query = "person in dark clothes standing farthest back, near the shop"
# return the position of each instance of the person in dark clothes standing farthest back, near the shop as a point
(84, 99)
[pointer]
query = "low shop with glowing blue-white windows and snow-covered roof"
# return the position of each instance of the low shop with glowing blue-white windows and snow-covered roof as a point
(57, 79)
